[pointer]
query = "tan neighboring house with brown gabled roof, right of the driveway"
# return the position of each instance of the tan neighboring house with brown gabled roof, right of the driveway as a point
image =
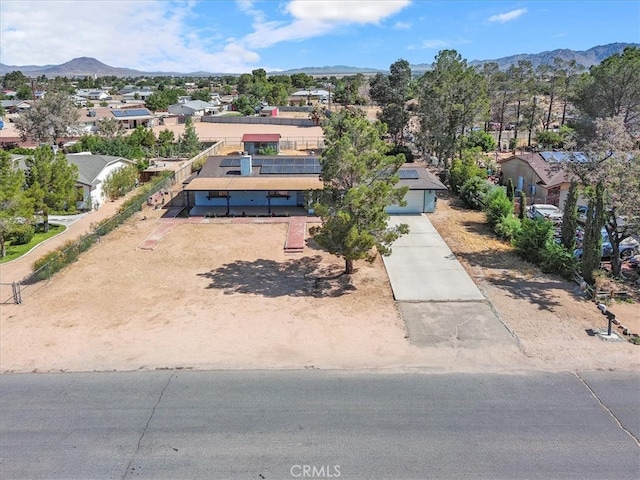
(542, 176)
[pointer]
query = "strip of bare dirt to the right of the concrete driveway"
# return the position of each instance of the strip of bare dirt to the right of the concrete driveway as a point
(550, 317)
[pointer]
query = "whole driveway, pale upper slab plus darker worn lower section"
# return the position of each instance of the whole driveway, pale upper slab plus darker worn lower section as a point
(440, 304)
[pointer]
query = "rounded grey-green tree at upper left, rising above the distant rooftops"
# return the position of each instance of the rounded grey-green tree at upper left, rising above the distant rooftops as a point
(51, 118)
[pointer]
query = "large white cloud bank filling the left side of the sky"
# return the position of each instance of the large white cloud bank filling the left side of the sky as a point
(163, 35)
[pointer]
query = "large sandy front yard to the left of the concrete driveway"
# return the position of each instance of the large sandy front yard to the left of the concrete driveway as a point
(209, 296)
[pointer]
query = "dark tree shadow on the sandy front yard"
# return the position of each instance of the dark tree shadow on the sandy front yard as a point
(300, 277)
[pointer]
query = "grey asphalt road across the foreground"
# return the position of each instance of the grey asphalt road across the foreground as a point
(317, 424)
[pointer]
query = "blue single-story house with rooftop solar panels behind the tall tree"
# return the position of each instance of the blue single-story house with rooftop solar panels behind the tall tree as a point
(266, 185)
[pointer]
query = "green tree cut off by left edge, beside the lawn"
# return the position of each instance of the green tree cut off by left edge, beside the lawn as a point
(14, 205)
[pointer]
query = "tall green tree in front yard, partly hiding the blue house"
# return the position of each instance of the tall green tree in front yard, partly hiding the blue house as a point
(359, 183)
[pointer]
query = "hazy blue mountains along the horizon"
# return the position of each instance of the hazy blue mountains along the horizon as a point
(86, 66)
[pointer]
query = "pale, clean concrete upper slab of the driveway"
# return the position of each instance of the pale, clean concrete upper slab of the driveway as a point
(422, 268)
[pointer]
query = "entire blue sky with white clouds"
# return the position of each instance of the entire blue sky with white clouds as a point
(223, 36)
